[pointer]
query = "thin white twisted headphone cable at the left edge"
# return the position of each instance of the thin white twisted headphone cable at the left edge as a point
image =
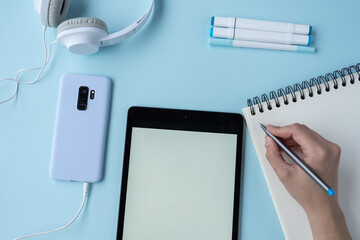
(16, 79)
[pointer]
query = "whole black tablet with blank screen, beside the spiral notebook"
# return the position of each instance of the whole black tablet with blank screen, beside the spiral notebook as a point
(181, 175)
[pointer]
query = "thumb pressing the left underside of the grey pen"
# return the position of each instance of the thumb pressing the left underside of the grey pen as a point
(281, 168)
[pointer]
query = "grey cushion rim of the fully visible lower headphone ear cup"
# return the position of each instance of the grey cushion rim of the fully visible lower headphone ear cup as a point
(82, 22)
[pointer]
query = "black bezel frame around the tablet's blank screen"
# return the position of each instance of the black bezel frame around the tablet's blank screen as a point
(187, 120)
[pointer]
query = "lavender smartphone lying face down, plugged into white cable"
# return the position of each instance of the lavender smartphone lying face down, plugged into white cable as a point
(80, 129)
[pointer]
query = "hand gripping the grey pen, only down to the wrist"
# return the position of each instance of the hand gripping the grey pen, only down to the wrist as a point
(321, 155)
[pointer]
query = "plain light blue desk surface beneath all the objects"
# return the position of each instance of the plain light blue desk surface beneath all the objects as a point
(168, 64)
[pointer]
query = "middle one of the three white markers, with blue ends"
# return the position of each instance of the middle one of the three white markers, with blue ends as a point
(260, 36)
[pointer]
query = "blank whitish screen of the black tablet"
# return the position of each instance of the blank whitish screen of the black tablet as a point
(180, 185)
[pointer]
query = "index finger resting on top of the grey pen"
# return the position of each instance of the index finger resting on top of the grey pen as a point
(299, 133)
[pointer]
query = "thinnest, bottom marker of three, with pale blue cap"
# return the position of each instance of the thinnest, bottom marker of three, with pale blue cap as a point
(262, 45)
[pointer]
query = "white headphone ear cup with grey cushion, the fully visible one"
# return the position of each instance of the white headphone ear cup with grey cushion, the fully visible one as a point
(81, 35)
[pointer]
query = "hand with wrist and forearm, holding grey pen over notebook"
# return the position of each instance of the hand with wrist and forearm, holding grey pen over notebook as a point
(325, 216)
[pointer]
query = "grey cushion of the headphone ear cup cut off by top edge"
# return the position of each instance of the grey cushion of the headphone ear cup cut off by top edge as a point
(57, 11)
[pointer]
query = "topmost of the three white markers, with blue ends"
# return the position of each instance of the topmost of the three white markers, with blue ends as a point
(244, 23)
